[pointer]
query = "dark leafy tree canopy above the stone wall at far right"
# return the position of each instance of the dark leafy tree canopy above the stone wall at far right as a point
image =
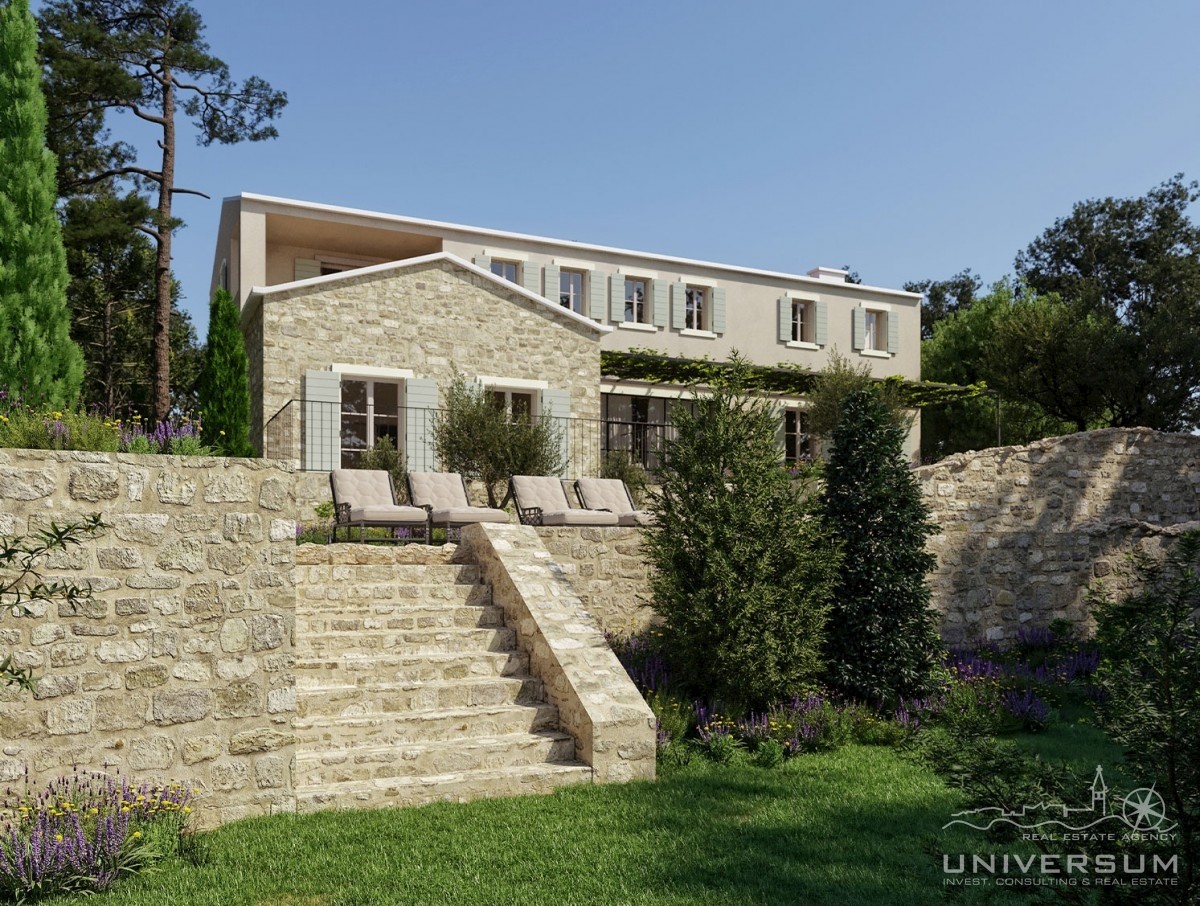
(1126, 275)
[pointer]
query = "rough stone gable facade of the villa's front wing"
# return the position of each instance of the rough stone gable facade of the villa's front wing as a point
(428, 319)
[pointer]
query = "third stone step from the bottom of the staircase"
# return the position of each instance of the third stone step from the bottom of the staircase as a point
(425, 727)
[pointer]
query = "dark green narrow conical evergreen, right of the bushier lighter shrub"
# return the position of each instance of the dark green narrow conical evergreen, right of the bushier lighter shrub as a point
(881, 639)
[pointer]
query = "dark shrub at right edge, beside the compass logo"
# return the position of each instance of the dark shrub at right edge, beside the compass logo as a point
(1150, 677)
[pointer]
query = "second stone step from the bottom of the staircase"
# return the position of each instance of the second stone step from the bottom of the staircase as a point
(322, 769)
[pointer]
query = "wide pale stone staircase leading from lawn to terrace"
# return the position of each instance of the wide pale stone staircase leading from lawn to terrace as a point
(411, 689)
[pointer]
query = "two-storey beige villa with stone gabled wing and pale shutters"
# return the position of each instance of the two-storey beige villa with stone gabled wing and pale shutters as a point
(357, 321)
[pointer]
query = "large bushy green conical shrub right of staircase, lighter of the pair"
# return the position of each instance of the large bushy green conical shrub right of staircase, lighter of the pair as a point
(742, 573)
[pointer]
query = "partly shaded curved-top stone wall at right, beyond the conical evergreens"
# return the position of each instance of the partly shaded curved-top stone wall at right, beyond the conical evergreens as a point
(1024, 531)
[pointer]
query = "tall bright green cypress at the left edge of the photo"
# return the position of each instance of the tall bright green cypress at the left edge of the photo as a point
(38, 357)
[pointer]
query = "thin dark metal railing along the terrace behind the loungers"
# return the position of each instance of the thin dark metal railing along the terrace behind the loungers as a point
(315, 434)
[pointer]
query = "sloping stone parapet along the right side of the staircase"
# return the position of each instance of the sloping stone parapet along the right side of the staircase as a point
(598, 704)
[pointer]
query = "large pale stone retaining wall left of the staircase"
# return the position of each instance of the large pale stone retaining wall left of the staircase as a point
(181, 667)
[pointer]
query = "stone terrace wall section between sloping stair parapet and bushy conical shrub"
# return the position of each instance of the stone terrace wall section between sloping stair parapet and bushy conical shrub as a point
(607, 569)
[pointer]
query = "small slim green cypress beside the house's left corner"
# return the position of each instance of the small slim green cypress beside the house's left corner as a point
(225, 386)
